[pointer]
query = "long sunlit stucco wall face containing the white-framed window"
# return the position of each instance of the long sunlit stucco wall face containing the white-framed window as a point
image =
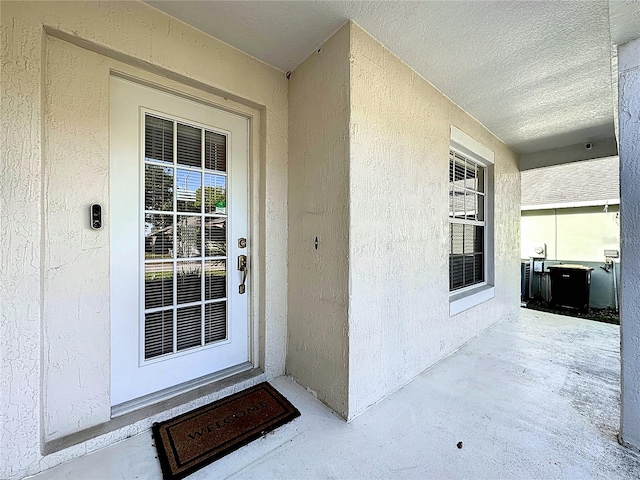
(399, 320)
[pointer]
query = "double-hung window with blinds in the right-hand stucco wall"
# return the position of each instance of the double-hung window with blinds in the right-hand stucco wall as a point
(467, 202)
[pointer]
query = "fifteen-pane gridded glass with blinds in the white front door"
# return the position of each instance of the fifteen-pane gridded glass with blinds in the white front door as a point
(185, 237)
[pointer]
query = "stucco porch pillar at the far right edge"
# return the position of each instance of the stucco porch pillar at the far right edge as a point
(629, 116)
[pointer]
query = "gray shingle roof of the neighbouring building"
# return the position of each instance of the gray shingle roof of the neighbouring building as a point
(586, 181)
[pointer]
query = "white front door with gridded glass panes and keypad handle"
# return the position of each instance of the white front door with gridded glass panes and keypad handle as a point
(178, 215)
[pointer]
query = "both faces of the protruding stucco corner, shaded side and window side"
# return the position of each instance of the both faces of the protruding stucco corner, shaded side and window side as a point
(392, 189)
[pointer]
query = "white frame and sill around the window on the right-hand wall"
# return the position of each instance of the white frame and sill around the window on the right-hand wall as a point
(468, 297)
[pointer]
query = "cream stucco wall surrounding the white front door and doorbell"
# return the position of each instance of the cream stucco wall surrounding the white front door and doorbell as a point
(54, 275)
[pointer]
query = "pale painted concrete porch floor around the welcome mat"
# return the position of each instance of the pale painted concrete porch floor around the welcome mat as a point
(533, 397)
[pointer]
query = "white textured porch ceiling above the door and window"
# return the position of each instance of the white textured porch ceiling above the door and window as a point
(537, 74)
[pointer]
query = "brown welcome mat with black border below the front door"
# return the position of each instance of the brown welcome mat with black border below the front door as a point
(192, 440)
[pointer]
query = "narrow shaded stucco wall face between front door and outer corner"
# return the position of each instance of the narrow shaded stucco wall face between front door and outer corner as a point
(318, 207)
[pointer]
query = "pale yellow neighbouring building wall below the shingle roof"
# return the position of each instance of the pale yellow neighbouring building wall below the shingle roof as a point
(574, 234)
